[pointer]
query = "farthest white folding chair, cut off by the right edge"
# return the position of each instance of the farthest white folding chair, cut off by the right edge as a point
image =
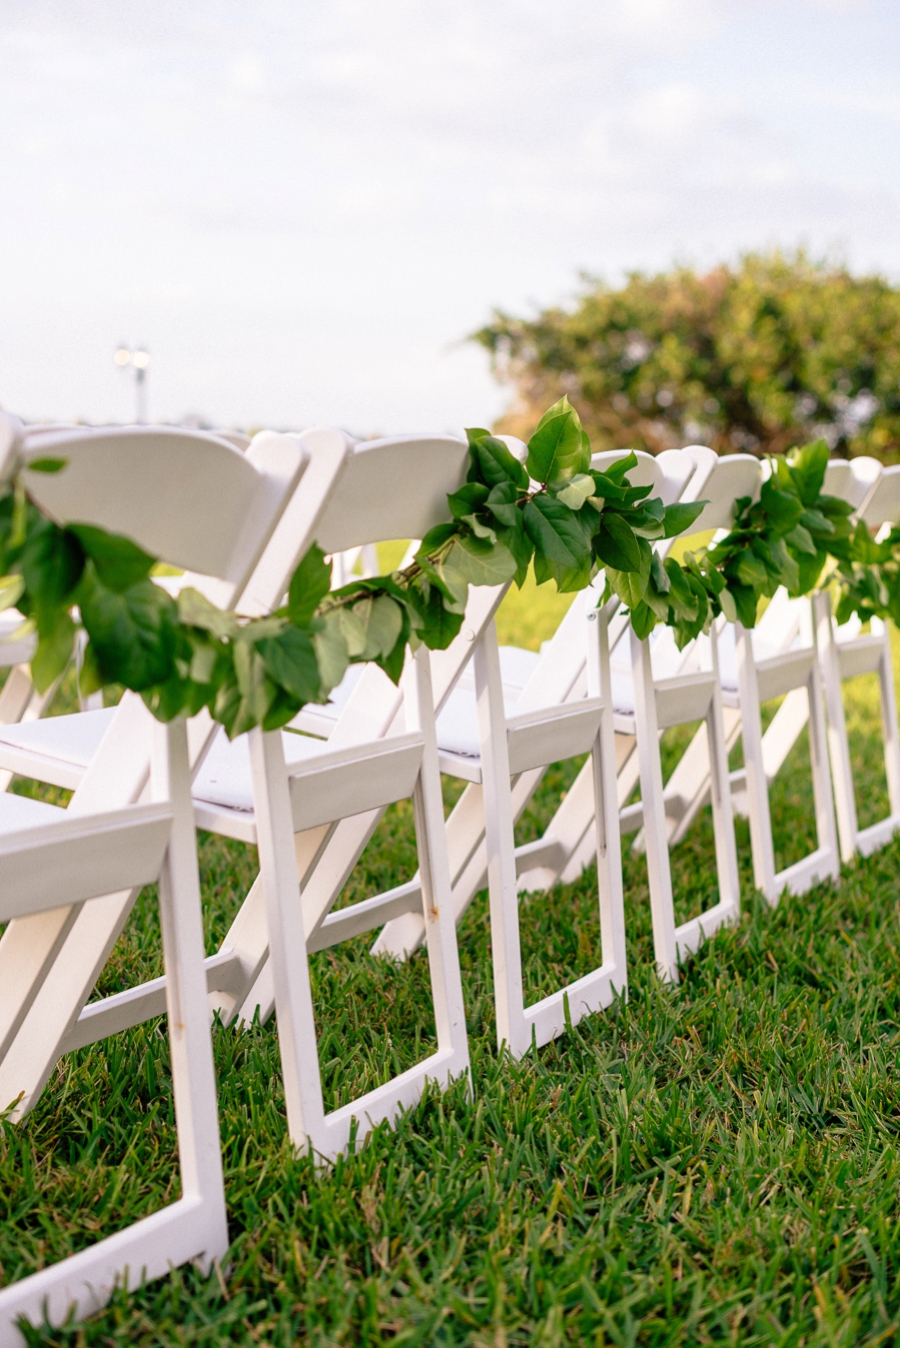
(844, 654)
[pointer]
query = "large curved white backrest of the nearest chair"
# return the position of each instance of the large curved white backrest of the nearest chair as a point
(188, 498)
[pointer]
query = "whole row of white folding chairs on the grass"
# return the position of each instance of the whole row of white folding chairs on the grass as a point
(238, 524)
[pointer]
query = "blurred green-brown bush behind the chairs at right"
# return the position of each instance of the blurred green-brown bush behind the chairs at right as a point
(755, 358)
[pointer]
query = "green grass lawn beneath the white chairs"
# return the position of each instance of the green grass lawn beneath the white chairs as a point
(709, 1164)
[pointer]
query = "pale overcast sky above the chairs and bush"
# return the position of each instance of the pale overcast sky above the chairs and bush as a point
(305, 207)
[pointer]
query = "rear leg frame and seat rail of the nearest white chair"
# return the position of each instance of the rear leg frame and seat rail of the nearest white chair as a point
(77, 858)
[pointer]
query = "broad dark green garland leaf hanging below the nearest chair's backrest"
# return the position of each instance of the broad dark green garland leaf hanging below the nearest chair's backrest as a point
(133, 632)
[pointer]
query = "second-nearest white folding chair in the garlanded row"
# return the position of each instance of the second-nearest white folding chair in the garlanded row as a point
(358, 773)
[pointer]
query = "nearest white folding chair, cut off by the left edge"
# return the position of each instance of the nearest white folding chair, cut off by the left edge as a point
(56, 863)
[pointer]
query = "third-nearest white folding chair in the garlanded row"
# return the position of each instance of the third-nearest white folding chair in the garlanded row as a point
(505, 777)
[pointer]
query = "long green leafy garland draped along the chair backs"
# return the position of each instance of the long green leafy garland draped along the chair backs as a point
(553, 513)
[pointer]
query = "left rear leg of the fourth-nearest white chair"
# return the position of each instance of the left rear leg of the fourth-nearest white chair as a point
(655, 834)
